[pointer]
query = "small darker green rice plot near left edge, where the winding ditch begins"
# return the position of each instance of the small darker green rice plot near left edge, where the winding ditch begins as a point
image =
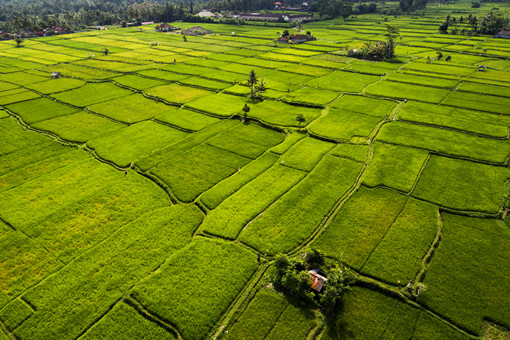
(36, 110)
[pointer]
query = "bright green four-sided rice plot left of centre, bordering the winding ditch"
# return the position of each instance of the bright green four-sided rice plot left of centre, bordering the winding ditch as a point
(129, 144)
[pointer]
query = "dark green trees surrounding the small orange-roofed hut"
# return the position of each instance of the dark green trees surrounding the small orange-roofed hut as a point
(291, 277)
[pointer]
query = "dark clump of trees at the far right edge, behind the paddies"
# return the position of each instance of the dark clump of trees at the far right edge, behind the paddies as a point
(492, 23)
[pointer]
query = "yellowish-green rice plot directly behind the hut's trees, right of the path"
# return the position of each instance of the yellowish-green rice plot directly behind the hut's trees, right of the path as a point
(356, 232)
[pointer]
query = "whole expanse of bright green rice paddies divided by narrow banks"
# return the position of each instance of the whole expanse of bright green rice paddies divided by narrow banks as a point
(137, 203)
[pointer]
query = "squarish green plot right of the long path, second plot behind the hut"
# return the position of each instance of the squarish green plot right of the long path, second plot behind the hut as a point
(394, 166)
